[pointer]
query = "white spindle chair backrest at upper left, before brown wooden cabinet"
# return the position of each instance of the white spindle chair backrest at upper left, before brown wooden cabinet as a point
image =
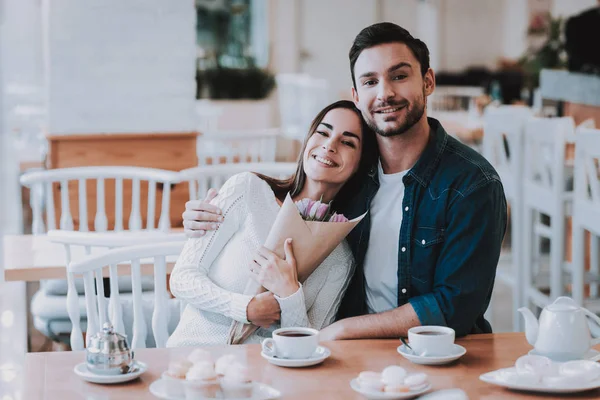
(41, 184)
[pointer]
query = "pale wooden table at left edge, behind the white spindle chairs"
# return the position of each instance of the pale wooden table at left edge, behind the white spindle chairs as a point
(32, 258)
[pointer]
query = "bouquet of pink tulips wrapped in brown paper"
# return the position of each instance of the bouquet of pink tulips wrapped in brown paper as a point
(314, 237)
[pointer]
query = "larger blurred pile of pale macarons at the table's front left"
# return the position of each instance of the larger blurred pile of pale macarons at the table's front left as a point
(199, 377)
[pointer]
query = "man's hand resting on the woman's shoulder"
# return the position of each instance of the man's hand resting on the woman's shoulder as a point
(201, 216)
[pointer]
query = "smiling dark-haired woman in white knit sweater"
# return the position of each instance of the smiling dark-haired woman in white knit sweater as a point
(211, 274)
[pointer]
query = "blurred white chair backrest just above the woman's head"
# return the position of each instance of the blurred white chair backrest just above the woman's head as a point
(301, 97)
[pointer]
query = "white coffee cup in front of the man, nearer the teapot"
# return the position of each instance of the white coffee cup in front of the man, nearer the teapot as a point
(431, 341)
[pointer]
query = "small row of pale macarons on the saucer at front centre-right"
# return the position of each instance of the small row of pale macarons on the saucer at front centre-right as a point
(393, 379)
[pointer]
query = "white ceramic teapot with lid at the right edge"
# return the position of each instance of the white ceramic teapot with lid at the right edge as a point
(562, 333)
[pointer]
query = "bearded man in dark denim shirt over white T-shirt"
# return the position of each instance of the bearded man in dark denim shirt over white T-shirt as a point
(427, 251)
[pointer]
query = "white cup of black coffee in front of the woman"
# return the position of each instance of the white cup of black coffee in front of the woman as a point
(293, 343)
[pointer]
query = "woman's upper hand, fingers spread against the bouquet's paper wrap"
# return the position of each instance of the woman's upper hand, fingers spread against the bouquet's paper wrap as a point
(277, 275)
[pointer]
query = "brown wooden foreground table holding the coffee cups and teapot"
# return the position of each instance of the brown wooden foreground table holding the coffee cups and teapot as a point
(51, 376)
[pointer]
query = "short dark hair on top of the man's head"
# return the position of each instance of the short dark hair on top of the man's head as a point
(387, 32)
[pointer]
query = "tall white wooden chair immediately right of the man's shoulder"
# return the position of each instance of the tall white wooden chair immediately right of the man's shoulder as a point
(503, 147)
